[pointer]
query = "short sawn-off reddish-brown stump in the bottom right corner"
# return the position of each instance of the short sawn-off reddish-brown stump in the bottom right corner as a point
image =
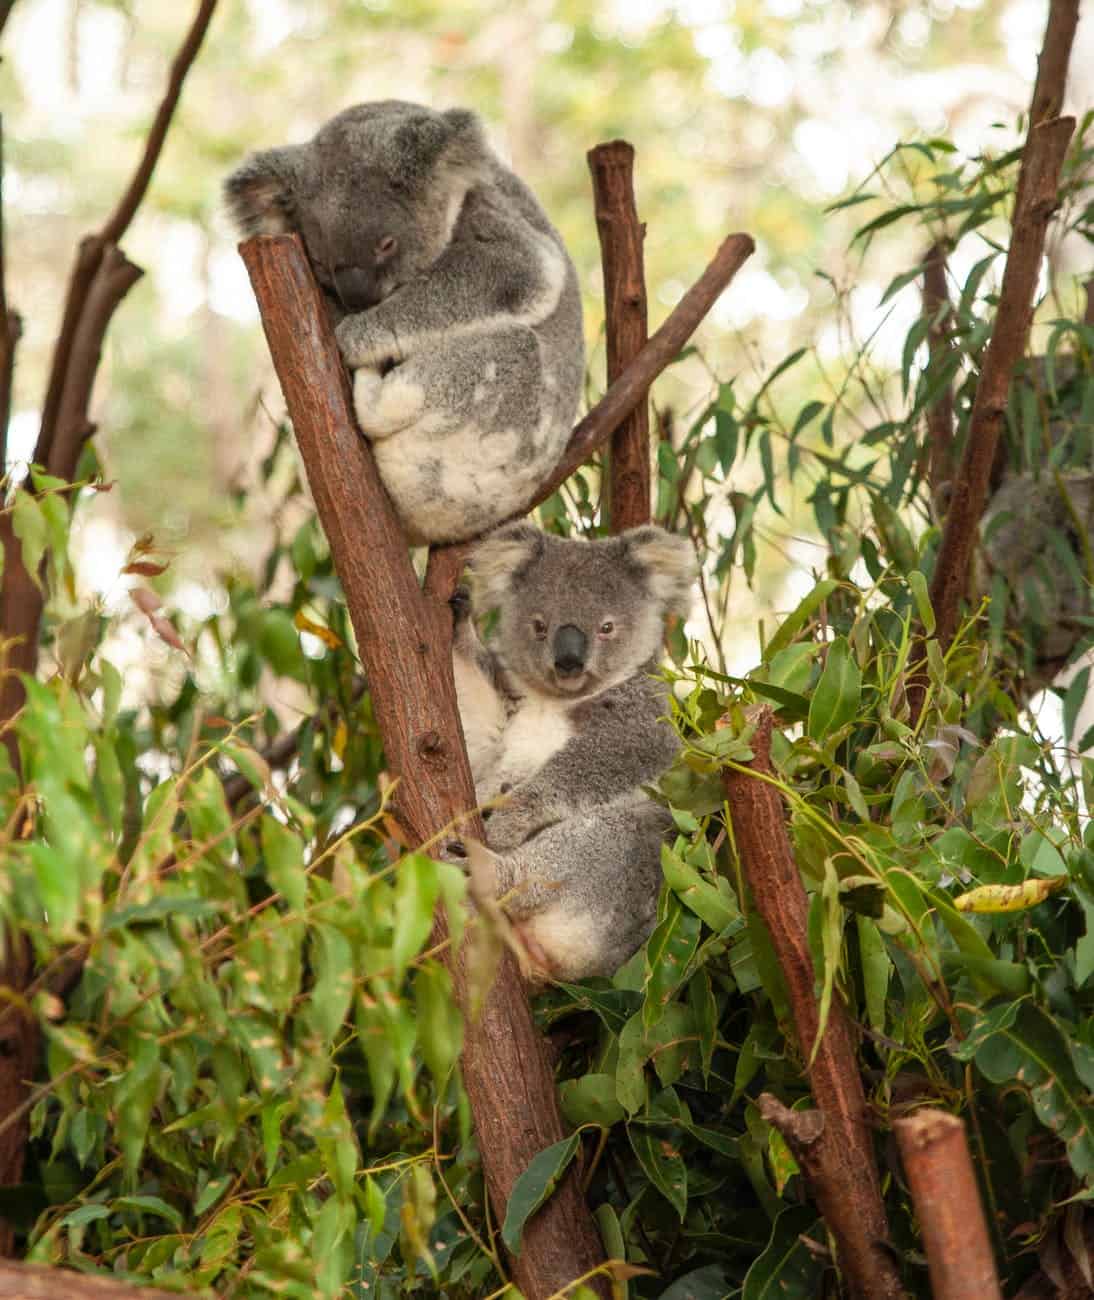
(948, 1203)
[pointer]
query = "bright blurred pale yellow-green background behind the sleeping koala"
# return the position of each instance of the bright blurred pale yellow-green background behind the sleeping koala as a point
(746, 116)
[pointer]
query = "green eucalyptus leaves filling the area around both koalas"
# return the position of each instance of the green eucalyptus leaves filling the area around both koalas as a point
(250, 1078)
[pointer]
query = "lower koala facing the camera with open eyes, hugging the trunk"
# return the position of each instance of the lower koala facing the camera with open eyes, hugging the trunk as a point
(563, 718)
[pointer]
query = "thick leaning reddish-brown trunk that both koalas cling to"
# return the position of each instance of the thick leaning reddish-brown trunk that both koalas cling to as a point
(405, 640)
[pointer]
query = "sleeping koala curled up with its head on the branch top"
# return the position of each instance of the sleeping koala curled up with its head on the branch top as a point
(458, 306)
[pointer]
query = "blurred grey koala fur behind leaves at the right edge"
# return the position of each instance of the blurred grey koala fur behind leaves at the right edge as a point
(1024, 527)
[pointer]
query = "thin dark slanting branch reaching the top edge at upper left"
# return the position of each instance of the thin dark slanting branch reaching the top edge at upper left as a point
(93, 248)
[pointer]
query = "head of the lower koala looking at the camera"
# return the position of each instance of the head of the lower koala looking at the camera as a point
(579, 617)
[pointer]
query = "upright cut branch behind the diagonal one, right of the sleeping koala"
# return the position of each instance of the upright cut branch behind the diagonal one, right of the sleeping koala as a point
(622, 236)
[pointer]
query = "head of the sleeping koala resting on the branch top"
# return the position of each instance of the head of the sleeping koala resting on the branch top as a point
(375, 196)
